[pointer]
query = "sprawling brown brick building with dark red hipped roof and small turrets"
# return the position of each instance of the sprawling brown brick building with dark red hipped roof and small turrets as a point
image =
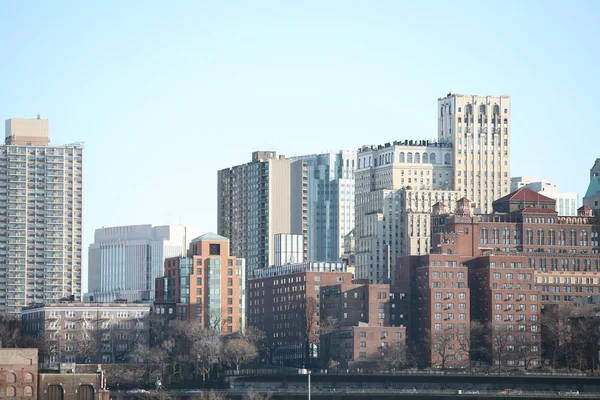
(564, 251)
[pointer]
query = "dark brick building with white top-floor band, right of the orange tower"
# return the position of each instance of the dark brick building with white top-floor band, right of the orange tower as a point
(284, 302)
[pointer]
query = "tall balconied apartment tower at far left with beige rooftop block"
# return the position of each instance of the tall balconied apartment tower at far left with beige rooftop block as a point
(41, 193)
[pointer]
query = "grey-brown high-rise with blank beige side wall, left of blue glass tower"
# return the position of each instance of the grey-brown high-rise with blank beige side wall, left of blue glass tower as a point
(258, 200)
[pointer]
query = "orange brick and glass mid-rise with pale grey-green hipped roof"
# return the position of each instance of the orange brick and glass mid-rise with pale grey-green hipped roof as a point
(206, 286)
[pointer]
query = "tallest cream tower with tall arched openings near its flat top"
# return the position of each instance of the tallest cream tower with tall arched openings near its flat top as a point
(478, 128)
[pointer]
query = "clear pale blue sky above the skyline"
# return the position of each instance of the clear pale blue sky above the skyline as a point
(165, 93)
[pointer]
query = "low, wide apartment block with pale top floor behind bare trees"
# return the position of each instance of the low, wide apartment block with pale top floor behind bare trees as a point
(86, 332)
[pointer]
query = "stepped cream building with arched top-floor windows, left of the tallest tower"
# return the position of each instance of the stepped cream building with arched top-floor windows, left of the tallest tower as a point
(396, 186)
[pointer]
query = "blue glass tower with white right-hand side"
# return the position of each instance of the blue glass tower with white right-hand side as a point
(330, 203)
